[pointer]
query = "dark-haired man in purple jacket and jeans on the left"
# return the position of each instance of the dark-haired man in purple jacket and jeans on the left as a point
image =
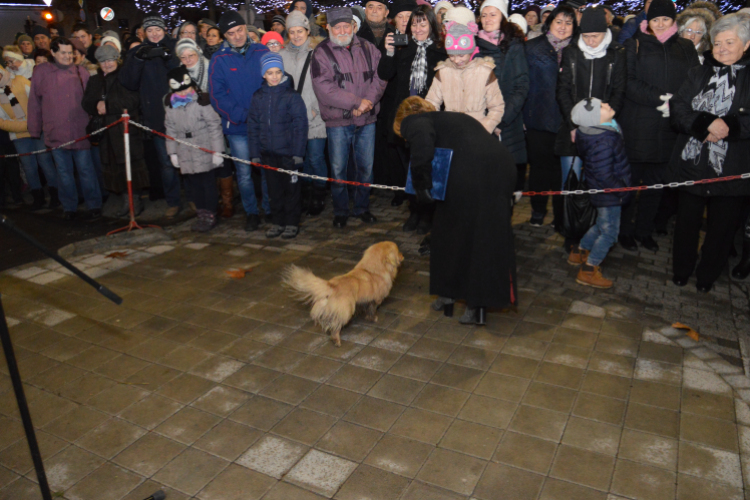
(55, 110)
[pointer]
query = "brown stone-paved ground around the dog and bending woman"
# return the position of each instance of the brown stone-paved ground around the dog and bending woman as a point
(221, 389)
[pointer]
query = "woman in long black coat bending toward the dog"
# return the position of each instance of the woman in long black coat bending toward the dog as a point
(472, 253)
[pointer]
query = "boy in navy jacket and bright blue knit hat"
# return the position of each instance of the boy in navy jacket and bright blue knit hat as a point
(277, 136)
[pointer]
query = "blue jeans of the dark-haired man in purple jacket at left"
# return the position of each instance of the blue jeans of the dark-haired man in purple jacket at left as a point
(64, 159)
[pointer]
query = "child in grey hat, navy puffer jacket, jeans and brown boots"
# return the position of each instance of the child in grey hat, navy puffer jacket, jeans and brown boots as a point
(605, 166)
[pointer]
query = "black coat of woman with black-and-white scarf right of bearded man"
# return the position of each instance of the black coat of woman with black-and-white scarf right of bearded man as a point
(397, 71)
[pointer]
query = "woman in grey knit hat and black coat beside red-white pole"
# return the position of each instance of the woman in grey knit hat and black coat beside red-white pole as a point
(104, 87)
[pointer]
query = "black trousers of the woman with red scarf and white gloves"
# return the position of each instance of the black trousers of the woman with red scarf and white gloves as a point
(639, 215)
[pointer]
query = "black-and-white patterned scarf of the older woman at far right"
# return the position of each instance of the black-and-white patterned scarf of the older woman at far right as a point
(716, 99)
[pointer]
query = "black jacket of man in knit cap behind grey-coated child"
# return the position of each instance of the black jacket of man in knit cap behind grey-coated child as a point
(149, 79)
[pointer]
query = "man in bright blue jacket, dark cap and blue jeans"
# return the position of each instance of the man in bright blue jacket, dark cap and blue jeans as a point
(233, 77)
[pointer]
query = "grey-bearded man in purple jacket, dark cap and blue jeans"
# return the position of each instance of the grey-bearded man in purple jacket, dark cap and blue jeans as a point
(345, 80)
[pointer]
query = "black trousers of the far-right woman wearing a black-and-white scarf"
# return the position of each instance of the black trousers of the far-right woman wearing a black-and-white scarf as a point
(723, 216)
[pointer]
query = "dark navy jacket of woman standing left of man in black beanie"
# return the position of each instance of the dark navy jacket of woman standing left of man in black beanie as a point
(541, 111)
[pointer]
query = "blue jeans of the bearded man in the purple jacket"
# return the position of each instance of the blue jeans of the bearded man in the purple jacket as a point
(340, 142)
